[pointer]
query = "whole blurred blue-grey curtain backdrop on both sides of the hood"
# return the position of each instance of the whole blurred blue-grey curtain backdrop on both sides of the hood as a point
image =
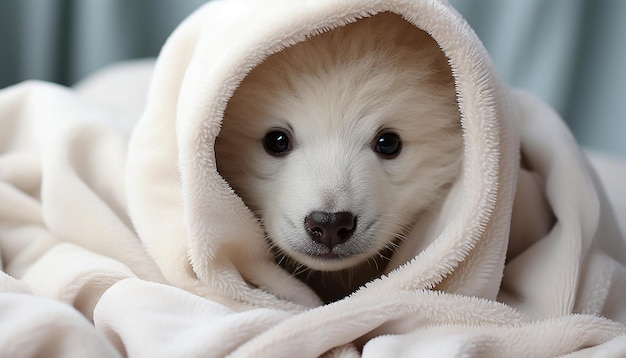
(572, 53)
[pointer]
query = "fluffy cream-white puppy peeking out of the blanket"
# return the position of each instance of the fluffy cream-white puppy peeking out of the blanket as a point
(340, 143)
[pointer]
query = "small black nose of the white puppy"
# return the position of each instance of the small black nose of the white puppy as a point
(330, 229)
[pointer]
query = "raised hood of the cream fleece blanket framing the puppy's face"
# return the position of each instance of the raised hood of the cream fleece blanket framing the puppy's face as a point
(202, 234)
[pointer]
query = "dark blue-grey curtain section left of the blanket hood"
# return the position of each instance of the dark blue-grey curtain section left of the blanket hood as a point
(65, 40)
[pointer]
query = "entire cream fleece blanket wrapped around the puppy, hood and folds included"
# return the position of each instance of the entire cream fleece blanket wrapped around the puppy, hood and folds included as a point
(119, 239)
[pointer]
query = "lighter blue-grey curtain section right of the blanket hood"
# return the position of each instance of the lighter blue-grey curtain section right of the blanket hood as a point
(572, 53)
